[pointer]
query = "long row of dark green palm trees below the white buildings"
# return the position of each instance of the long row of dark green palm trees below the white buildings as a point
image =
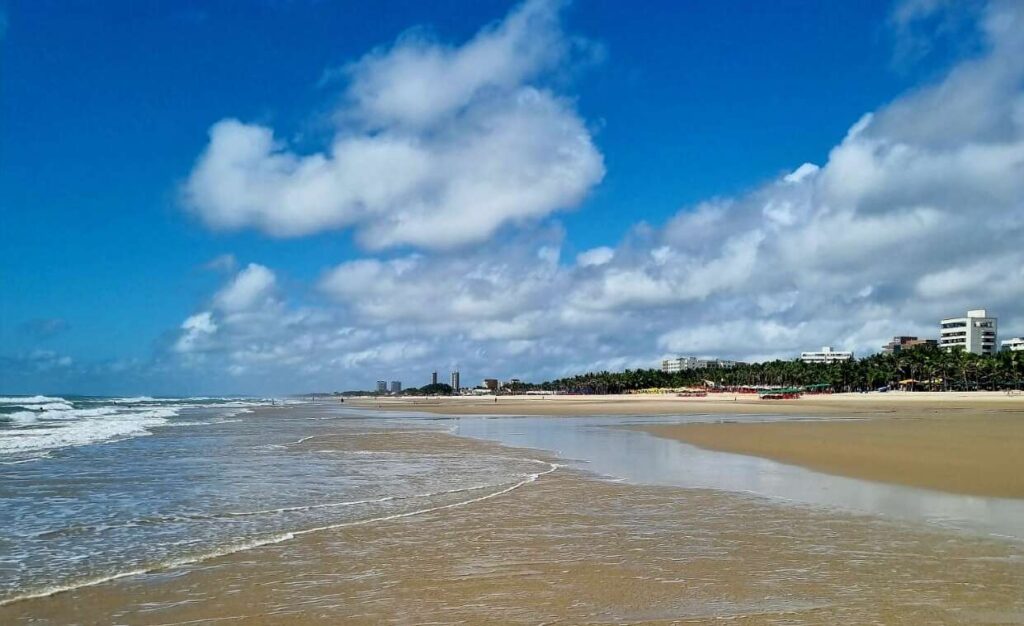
(929, 368)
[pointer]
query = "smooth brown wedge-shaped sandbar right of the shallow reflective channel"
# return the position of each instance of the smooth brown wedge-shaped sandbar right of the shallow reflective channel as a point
(977, 454)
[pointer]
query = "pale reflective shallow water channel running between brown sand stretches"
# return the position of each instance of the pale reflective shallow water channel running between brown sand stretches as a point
(605, 446)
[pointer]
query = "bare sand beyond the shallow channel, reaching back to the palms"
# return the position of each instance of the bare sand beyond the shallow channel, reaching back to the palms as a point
(969, 444)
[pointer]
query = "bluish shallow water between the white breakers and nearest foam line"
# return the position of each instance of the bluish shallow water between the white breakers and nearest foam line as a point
(199, 485)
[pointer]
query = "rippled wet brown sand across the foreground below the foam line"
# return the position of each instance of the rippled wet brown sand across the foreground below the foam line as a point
(569, 548)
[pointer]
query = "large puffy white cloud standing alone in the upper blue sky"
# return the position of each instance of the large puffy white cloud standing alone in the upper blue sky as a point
(437, 146)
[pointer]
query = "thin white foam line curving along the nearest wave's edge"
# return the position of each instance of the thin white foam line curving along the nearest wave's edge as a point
(249, 546)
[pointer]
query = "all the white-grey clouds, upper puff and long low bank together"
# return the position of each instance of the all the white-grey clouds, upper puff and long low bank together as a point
(918, 214)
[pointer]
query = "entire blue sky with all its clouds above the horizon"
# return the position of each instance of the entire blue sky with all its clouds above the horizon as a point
(292, 196)
